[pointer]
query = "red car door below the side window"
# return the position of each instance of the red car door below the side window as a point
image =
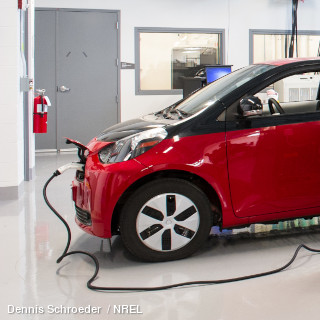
(274, 160)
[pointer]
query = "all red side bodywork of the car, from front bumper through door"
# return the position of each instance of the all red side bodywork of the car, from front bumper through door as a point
(275, 190)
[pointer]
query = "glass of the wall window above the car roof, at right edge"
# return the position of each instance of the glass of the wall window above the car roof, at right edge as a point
(275, 46)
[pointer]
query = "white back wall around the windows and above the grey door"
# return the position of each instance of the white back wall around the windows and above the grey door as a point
(235, 16)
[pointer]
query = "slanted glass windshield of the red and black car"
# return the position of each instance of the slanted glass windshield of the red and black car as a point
(219, 88)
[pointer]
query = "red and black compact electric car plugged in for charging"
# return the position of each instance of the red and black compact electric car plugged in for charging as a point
(242, 150)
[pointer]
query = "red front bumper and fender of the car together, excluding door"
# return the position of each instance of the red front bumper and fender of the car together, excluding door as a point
(105, 183)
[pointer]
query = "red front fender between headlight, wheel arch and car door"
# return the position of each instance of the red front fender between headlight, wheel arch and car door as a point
(204, 156)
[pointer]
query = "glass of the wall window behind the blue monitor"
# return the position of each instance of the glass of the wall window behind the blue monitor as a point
(164, 58)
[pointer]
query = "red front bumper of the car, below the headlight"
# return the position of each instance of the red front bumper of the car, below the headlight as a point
(101, 189)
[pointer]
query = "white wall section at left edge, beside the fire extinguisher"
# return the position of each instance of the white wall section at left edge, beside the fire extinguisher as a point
(11, 100)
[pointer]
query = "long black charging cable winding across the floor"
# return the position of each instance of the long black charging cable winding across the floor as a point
(170, 286)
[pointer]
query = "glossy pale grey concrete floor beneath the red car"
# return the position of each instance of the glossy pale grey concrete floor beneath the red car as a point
(33, 286)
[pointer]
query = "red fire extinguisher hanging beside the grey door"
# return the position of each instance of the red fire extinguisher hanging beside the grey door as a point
(41, 104)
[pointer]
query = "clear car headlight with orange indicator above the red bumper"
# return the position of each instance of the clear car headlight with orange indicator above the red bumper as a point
(132, 146)
